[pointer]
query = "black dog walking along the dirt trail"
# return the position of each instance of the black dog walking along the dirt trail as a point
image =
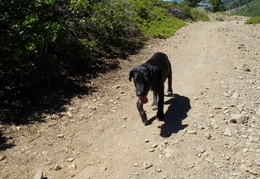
(152, 75)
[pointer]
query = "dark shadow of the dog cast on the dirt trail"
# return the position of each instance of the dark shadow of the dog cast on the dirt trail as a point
(177, 111)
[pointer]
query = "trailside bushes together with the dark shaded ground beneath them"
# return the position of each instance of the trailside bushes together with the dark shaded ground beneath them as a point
(43, 43)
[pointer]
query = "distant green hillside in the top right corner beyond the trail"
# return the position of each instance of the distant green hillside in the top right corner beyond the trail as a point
(252, 9)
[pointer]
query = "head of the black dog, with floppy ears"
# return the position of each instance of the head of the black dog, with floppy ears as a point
(143, 77)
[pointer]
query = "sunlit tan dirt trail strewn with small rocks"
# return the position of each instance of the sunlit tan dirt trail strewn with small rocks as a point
(211, 128)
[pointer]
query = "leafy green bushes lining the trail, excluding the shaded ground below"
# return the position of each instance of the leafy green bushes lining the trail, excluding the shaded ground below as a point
(40, 37)
